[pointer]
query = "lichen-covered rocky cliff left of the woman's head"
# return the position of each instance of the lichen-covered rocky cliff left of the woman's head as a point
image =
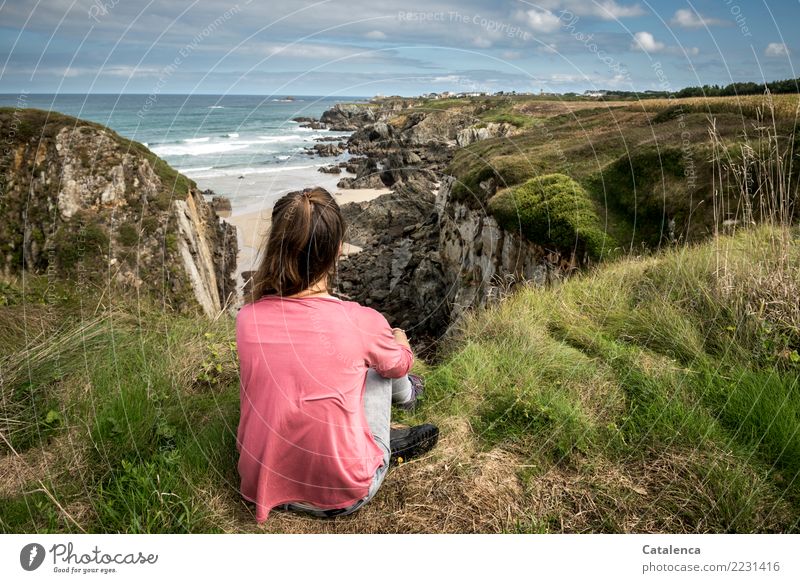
(80, 202)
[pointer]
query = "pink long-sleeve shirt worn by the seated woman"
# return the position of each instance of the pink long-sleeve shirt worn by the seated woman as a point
(303, 435)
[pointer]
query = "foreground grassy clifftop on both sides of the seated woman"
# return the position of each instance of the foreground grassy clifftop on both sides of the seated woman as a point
(656, 394)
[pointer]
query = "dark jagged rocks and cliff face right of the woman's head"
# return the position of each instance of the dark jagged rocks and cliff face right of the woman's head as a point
(426, 258)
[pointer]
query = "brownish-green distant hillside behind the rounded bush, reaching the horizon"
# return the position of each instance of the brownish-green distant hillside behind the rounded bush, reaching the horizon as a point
(651, 168)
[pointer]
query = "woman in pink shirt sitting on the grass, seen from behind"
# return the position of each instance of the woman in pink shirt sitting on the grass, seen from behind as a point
(318, 375)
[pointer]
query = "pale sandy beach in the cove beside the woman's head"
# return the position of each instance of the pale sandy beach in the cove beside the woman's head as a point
(253, 225)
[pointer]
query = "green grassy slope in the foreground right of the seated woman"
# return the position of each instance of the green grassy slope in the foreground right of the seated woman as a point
(641, 368)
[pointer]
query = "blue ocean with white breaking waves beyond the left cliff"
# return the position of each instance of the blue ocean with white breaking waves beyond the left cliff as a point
(212, 139)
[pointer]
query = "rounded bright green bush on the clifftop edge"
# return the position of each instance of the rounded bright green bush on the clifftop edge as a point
(551, 210)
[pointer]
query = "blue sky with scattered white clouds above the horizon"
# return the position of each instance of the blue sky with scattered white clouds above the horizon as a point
(369, 47)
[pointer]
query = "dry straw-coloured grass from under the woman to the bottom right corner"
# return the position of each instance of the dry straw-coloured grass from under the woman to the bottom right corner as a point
(458, 489)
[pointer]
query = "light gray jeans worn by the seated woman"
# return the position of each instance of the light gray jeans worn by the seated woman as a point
(379, 394)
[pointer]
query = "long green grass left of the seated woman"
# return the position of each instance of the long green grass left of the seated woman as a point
(150, 404)
